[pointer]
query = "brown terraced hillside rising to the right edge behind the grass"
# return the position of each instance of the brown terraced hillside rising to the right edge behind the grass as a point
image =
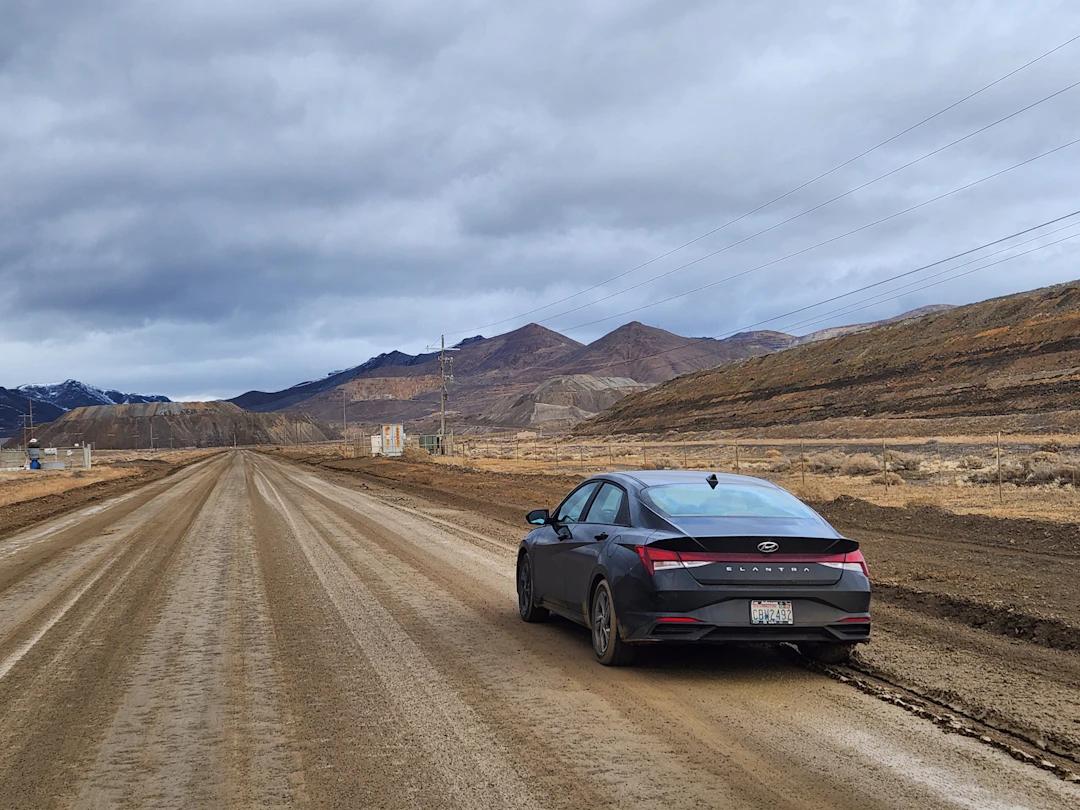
(1003, 358)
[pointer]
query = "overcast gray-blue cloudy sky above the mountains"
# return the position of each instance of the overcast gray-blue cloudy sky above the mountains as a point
(201, 198)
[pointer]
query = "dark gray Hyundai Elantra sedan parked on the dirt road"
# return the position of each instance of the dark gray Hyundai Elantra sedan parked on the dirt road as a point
(688, 557)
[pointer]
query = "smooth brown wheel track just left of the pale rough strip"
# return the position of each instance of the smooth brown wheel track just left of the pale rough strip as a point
(57, 700)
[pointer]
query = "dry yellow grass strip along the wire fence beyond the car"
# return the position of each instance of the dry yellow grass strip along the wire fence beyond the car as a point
(926, 472)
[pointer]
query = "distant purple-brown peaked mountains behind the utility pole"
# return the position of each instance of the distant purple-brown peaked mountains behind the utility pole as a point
(531, 376)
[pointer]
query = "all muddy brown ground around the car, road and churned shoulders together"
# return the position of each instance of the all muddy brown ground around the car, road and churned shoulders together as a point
(252, 630)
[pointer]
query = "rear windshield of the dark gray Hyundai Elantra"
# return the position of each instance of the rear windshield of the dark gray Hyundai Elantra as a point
(700, 501)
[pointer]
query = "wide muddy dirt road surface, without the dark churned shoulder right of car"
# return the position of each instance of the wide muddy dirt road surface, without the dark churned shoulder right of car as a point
(252, 632)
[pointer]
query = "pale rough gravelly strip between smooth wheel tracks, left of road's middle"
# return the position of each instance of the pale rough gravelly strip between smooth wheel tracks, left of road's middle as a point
(201, 723)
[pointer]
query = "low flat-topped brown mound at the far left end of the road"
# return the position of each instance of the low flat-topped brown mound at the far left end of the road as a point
(177, 425)
